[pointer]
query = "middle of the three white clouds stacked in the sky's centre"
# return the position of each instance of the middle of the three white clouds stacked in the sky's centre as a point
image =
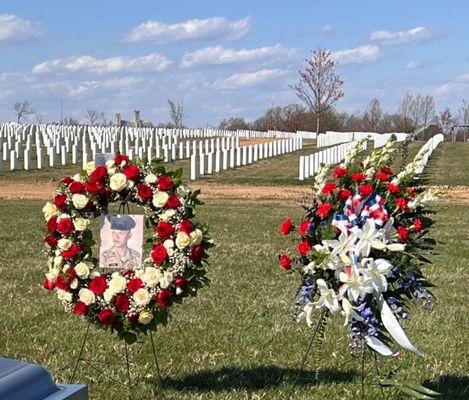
(220, 55)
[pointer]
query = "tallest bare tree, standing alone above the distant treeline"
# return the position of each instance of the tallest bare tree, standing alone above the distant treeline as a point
(319, 87)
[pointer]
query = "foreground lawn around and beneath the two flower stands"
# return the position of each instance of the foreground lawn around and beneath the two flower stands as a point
(236, 340)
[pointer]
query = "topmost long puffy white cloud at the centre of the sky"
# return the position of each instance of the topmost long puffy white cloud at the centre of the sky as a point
(155, 32)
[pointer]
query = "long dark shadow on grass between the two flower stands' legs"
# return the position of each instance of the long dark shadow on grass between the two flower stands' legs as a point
(229, 378)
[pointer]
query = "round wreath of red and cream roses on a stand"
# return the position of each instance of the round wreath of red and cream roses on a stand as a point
(135, 300)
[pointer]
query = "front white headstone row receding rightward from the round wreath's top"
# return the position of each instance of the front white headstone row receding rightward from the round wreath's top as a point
(207, 163)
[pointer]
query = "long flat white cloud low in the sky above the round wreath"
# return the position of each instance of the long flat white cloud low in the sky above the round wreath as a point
(152, 62)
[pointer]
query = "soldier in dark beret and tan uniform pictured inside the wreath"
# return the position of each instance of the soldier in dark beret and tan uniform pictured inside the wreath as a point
(121, 256)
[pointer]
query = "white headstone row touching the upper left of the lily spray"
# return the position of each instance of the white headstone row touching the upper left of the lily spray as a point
(309, 165)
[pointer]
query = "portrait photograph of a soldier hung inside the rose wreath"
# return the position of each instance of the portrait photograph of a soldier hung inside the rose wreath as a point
(121, 241)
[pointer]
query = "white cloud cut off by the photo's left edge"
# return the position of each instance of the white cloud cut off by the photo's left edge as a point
(15, 30)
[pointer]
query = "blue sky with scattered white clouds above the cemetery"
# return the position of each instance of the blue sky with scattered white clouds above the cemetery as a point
(224, 59)
